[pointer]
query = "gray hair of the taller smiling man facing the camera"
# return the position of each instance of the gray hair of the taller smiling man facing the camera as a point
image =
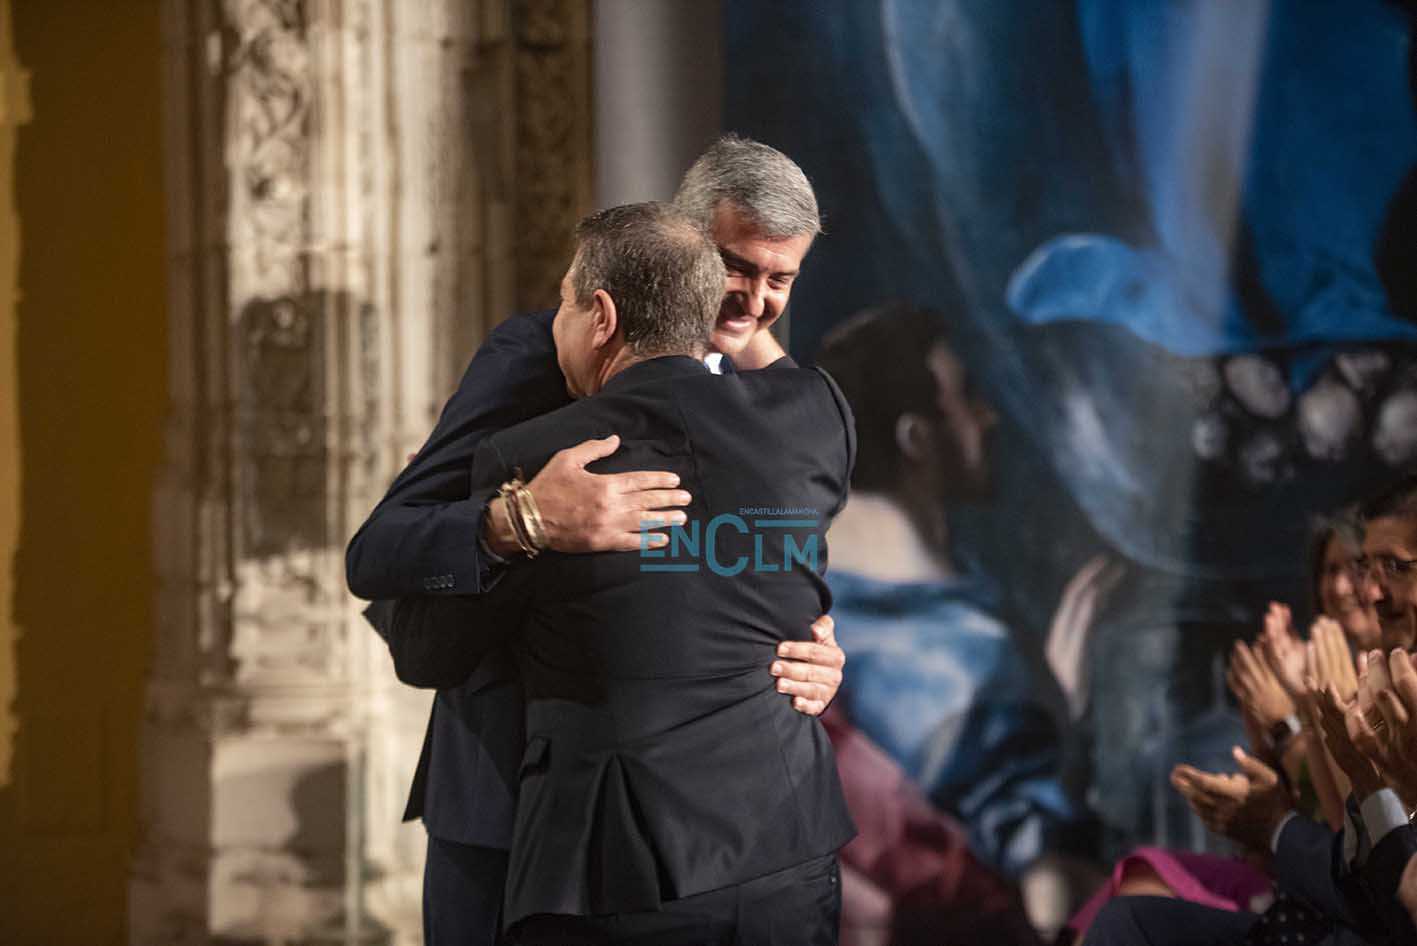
(763, 183)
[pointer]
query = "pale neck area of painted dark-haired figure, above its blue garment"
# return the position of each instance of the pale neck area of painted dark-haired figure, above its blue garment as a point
(875, 537)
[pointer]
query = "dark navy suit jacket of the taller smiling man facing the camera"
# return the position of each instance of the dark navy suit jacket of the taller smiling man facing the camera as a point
(423, 539)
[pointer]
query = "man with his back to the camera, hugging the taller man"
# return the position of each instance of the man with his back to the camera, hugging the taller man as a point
(667, 795)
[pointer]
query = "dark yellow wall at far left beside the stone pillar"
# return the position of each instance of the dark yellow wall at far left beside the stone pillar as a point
(91, 372)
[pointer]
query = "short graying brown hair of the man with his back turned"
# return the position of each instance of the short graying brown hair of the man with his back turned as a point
(662, 271)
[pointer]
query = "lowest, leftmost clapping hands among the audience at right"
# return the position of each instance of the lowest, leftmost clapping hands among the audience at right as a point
(1246, 807)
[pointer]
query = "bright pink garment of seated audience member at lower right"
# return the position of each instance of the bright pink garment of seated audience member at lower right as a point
(1224, 883)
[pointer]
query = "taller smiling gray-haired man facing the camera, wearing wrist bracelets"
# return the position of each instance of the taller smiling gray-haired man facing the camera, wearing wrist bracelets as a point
(422, 539)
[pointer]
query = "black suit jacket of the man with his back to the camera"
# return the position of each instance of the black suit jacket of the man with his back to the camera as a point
(661, 760)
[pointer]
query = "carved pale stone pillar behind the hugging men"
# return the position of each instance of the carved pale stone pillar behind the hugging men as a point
(355, 199)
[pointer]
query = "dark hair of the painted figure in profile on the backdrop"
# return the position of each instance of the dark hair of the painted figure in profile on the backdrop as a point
(878, 359)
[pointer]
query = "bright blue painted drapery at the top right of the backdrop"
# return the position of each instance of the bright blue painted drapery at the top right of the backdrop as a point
(1285, 127)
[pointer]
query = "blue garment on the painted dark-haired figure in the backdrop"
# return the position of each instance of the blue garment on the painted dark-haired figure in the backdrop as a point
(937, 682)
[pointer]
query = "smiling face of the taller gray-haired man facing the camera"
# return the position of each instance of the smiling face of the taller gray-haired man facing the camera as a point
(762, 274)
